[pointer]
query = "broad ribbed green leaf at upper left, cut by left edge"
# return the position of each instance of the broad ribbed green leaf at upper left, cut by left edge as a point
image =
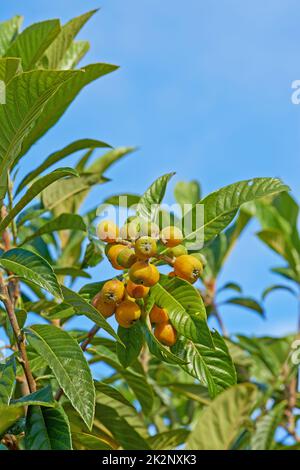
(26, 96)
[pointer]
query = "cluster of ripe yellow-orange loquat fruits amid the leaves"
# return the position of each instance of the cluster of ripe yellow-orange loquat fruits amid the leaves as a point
(136, 247)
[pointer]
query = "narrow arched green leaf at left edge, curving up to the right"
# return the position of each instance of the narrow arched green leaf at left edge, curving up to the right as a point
(34, 190)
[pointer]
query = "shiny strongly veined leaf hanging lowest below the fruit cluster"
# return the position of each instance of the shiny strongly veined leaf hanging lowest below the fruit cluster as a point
(213, 367)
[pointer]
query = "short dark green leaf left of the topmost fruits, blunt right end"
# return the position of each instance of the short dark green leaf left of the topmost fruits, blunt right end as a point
(62, 222)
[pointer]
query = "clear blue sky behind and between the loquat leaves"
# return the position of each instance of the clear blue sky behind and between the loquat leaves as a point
(204, 89)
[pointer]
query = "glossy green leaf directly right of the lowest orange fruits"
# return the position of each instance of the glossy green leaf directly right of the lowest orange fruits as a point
(185, 308)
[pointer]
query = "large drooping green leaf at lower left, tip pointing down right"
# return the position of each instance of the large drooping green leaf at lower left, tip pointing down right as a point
(66, 360)
